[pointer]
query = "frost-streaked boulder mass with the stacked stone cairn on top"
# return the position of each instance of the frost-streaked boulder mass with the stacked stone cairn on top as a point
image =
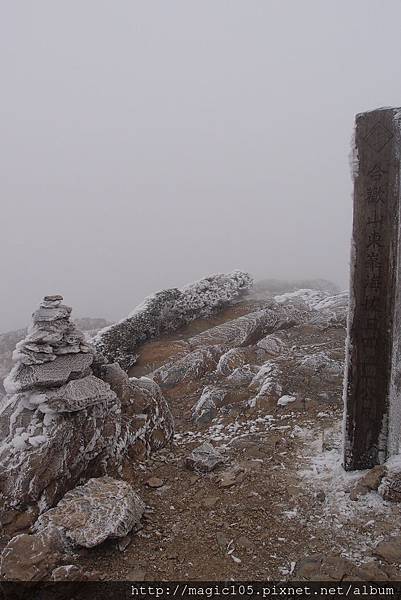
(66, 417)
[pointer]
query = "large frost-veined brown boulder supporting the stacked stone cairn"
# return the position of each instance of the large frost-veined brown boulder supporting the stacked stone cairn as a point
(65, 448)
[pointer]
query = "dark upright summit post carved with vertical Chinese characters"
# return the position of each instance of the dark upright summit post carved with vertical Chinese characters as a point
(372, 386)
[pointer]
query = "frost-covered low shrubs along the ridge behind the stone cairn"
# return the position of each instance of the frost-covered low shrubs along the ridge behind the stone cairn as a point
(168, 310)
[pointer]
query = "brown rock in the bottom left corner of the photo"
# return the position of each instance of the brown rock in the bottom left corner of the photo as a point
(32, 557)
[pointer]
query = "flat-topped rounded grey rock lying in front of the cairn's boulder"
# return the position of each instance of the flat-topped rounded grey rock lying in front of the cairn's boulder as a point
(88, 515)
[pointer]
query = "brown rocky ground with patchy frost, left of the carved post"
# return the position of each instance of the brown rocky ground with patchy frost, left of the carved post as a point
(279, 505)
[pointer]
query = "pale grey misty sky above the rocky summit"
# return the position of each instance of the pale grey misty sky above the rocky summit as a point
(145, 144)
